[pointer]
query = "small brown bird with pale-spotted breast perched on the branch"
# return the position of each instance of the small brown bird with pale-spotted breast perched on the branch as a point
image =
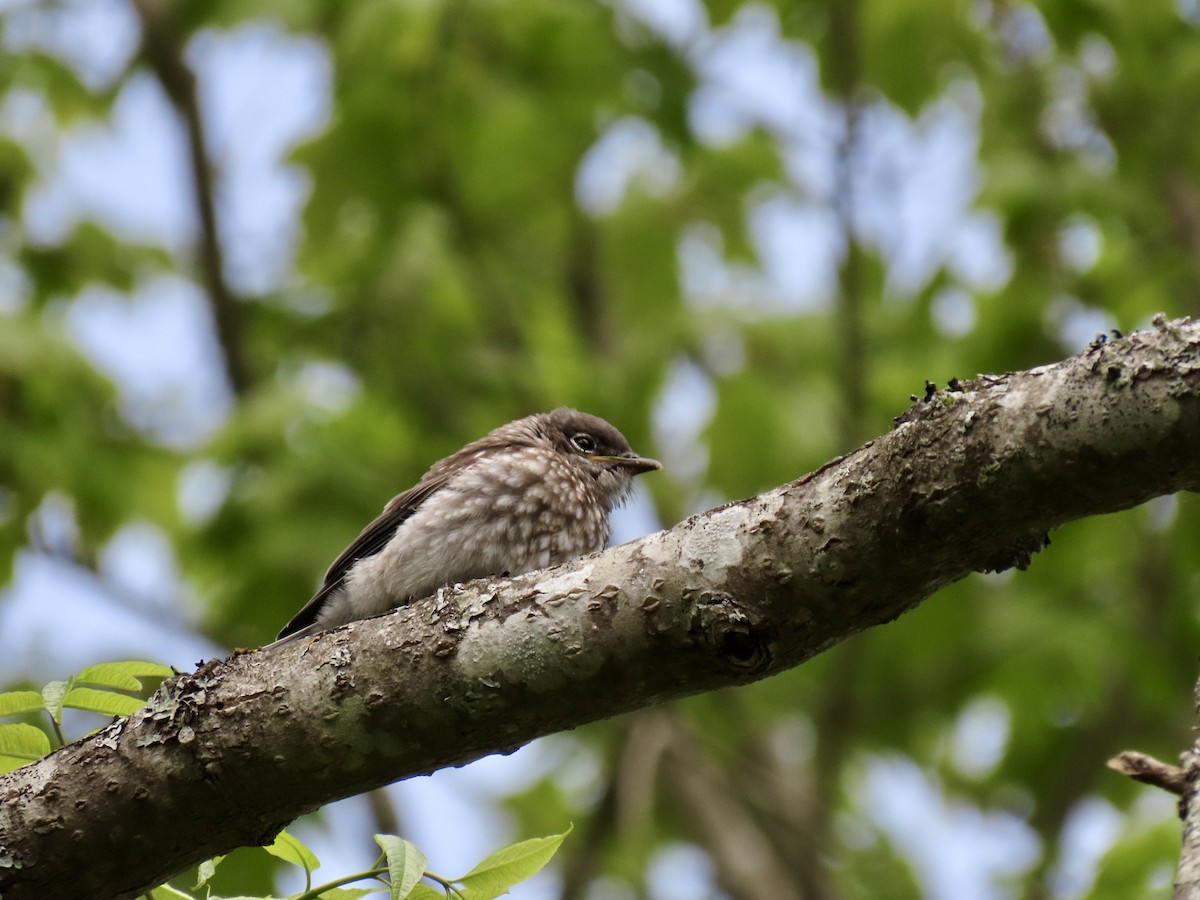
(532, 494)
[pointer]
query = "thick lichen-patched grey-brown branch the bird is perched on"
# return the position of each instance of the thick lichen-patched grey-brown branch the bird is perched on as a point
(970, 482)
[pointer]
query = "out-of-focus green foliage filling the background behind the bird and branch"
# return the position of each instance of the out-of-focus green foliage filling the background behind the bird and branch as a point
(452, 275)
